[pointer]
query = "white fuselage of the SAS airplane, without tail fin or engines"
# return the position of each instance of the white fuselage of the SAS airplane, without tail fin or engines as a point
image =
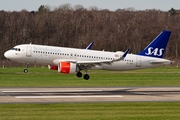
(47, 55)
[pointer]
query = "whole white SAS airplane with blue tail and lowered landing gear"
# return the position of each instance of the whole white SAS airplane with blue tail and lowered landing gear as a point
(73, 61)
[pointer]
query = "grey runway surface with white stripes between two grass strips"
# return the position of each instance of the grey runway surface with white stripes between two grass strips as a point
(89, 94)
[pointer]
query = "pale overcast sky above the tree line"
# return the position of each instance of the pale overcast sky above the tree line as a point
(30, 5)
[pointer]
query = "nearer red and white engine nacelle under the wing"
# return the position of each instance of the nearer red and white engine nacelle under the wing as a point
(67, 68)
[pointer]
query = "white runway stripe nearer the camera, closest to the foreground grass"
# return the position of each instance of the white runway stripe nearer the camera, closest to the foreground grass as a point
(92, 96)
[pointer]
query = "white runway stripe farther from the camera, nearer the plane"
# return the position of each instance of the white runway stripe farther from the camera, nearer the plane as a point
(52, 91)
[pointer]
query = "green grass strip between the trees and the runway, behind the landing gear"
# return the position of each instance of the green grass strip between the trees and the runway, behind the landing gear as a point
(43, 77)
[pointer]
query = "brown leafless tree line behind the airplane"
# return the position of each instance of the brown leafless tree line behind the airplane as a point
(77, 27)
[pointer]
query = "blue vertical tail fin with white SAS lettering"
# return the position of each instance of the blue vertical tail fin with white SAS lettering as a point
(158, 46)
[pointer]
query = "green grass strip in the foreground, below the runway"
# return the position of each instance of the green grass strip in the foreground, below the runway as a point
(92, 111)
